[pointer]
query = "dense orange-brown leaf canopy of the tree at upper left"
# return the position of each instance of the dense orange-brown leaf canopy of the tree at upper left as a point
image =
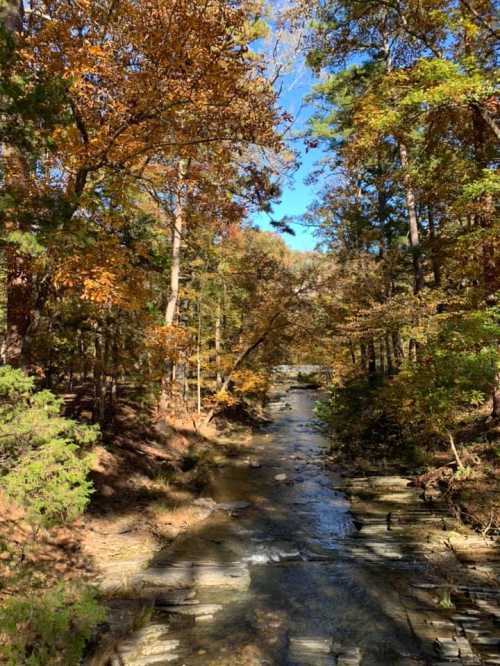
(145, 78)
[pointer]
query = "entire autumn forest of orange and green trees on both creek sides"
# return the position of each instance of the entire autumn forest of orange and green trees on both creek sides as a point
(137, 141)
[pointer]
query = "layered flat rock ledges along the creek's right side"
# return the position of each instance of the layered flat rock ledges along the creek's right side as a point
(453, 607)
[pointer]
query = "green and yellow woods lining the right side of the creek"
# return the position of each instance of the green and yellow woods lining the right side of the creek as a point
(407, 114)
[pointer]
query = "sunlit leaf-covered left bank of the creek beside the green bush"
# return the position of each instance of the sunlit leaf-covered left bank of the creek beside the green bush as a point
(147, 477)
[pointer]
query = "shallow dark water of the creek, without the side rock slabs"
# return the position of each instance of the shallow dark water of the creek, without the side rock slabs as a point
(296, 540)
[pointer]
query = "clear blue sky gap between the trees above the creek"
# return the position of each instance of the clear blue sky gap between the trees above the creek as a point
(296, 195)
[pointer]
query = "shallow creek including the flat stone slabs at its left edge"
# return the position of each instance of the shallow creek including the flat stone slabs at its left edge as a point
(280, 572)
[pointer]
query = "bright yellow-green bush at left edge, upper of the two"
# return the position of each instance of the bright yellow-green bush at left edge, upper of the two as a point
(43, 466)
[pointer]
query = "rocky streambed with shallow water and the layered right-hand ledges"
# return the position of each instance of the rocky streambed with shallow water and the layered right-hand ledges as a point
(297, 565)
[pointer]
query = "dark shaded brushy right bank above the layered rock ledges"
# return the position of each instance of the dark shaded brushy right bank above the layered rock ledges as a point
(467, 480)
